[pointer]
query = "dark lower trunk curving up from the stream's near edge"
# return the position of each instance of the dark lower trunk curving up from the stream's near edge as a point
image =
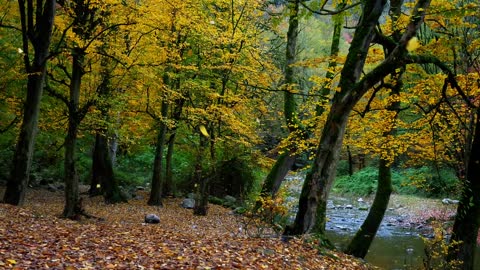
(362, 240)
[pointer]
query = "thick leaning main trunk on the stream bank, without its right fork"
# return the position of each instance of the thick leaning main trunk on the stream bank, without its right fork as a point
(311, 215)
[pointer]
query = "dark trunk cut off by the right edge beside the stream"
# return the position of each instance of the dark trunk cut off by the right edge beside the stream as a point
(467, 219)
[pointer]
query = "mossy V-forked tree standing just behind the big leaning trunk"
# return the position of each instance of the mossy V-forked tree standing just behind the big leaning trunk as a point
(300, 129)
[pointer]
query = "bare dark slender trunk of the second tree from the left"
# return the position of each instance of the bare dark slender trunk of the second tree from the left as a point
(71, 177)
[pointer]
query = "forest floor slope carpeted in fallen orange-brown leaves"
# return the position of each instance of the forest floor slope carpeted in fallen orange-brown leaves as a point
(33, 237)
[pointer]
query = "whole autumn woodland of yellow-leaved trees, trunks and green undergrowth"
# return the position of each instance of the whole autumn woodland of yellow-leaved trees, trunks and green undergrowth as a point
(211, 99)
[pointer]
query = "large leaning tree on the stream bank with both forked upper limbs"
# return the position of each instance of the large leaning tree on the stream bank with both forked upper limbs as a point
(310, 217)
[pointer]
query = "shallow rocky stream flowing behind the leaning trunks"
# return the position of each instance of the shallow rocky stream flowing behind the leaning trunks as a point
(397, 245)
